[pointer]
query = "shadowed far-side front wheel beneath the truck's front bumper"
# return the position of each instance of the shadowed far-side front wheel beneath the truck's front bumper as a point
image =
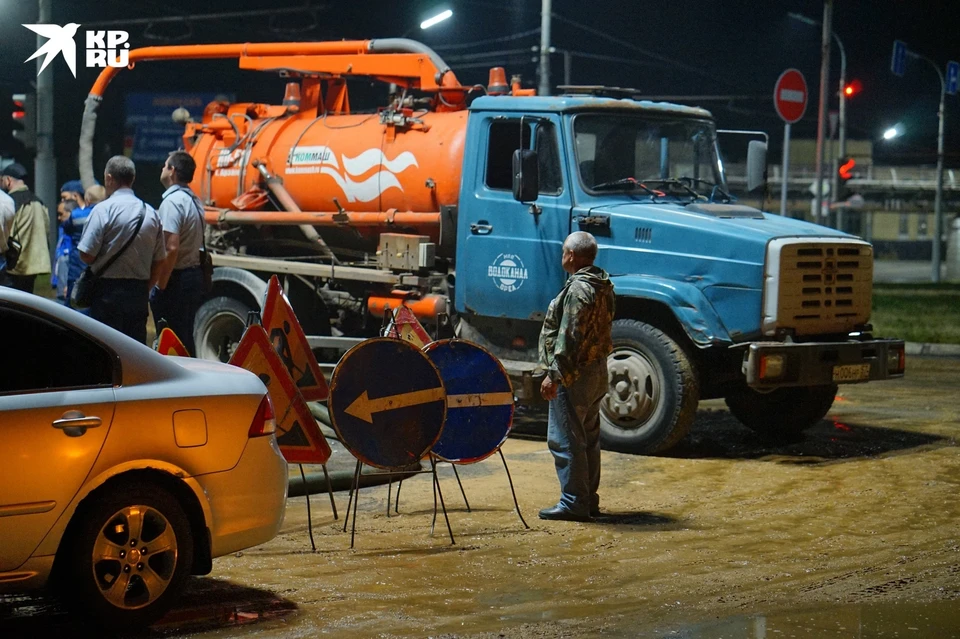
(782, 413)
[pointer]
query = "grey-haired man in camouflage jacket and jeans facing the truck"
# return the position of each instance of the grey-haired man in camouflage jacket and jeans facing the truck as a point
(574, 344)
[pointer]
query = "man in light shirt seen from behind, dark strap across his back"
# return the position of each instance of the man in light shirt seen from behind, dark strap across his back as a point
(123, 289)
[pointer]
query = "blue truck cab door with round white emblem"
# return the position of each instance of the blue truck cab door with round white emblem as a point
(508, 253)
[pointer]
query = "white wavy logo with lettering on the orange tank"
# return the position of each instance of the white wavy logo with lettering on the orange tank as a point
(322, 160)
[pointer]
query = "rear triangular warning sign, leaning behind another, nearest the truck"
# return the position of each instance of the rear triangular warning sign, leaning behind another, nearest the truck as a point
(286, 335)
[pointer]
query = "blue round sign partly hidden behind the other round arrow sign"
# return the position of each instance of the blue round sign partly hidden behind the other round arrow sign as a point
(479, 401)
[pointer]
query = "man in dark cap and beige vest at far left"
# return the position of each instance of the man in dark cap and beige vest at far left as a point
(31, 227)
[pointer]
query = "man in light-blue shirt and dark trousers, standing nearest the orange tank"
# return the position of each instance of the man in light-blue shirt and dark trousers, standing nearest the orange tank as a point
(179, 291)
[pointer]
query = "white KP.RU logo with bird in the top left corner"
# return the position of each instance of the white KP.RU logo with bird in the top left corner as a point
(104, 48)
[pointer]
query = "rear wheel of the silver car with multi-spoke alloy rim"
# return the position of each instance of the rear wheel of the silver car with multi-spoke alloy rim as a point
(130, 557)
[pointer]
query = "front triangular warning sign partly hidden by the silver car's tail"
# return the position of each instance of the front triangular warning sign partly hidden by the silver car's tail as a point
(298, 434)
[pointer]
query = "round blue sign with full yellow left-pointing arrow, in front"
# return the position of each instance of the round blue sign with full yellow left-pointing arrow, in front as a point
(387, 402)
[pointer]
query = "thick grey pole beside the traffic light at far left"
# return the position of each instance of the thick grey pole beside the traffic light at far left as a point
(45, 164)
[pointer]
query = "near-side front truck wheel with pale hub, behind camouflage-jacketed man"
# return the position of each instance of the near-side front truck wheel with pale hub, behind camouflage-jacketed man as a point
(653, 391)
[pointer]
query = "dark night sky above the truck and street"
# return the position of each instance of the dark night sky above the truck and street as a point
(681, 47)
